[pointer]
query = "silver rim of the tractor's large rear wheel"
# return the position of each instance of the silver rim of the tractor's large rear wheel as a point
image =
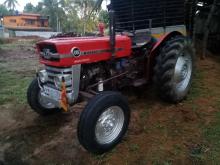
(183, 72)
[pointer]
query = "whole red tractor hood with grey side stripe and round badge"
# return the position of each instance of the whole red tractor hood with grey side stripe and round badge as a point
(64, 52)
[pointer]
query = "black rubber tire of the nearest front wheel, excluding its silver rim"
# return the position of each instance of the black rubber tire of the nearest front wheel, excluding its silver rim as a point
(90, 115)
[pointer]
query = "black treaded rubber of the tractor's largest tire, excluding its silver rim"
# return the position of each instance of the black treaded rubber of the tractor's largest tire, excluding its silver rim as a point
(165, 65)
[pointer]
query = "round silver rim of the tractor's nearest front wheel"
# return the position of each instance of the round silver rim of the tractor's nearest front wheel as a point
(109, 125)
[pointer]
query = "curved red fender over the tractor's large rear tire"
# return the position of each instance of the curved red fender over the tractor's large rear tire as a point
(156, 50)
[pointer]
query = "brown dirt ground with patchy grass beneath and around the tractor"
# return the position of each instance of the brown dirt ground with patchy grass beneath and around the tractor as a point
(159, 133)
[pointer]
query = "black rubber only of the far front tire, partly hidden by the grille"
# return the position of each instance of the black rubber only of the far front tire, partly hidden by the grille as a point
(32, 98)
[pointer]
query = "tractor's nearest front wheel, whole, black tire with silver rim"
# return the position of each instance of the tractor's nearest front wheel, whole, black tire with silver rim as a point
(103, 122)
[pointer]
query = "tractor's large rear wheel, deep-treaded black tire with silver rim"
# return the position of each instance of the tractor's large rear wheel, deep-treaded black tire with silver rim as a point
(174, 69)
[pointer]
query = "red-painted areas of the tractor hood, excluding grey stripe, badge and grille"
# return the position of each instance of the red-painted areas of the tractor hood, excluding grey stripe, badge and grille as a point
(64, 46)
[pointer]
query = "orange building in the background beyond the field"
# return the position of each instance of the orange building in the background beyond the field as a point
(26, 22)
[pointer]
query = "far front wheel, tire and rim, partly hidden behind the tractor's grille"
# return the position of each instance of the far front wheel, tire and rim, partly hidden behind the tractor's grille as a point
(37, 103)
